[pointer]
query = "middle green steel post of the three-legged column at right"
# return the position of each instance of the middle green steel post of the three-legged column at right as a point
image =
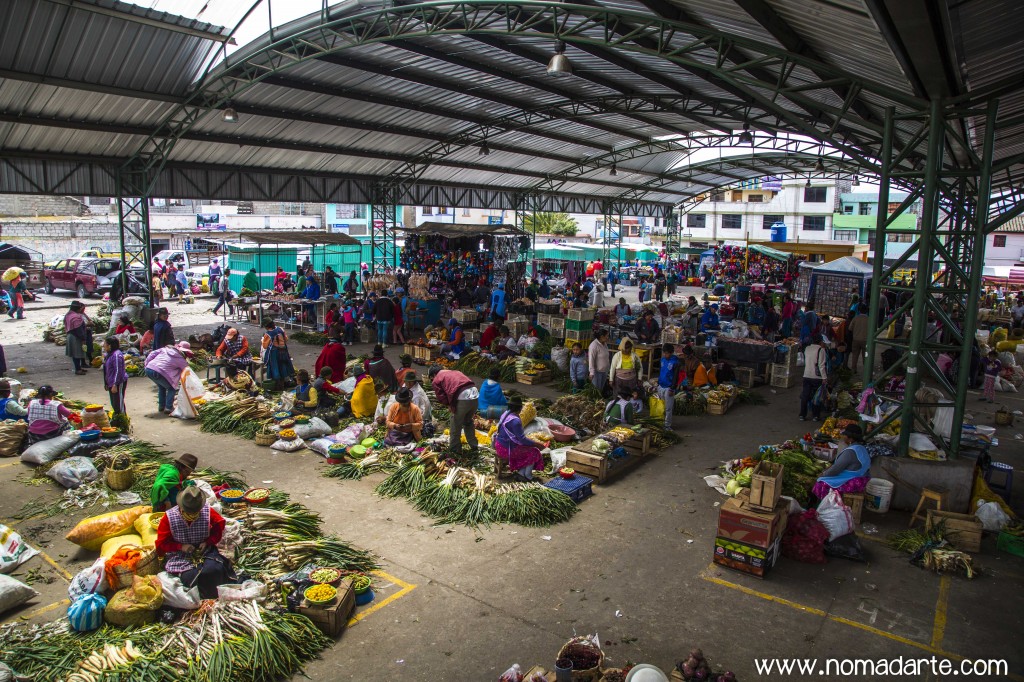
(930, 218)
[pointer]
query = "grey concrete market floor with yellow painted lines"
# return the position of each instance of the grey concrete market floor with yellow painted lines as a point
(634, 566)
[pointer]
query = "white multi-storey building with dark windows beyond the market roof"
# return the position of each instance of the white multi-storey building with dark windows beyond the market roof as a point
(747, 214)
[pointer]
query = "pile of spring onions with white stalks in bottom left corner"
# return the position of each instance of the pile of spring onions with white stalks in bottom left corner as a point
(231, 642)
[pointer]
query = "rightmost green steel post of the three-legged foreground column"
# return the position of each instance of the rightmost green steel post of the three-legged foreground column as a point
(980, 223)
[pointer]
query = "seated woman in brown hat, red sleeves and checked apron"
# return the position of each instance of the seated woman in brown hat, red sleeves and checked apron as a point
(188, 536)
